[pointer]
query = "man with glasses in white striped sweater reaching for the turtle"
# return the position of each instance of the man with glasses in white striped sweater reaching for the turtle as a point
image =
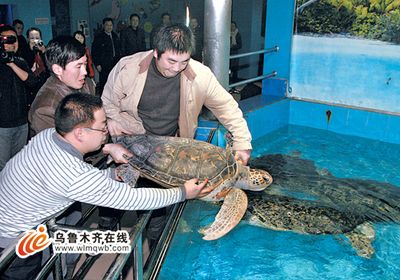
(33, 193)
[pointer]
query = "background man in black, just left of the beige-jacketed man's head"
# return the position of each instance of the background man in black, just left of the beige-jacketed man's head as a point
(106, 52)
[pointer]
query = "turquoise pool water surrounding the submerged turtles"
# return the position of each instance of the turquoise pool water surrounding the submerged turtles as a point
(250, 252)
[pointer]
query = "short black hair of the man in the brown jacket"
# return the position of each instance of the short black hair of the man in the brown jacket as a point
(63, 50)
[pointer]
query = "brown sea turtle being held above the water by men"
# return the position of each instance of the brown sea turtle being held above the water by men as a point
(170, 161)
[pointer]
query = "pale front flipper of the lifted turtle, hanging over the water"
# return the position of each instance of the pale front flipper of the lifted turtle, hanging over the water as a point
(232, 211)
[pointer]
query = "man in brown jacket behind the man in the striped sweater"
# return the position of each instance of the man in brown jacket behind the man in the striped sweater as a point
(66, 58)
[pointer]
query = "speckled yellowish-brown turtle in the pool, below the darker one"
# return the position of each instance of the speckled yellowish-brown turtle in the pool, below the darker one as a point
(310, 217)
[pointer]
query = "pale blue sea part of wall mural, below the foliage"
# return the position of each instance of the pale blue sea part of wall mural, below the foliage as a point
(356, 72)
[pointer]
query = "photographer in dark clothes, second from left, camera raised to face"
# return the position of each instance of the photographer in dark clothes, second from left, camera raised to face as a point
(37, 65)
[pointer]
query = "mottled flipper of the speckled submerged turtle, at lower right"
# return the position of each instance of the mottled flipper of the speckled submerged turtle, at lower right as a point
(361, 239)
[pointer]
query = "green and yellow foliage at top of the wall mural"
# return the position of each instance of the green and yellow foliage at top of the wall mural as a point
(371, 19)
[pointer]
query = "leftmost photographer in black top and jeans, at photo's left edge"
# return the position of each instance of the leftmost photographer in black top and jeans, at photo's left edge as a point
(15, 77)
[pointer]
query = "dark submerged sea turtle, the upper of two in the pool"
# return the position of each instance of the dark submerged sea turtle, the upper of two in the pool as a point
(300, 178)
